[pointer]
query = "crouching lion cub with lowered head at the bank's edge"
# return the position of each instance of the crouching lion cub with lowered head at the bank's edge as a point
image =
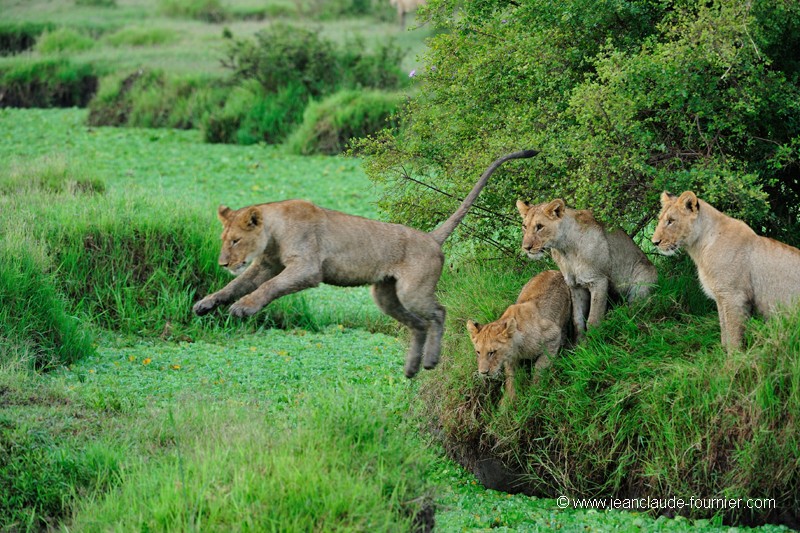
(535, 327)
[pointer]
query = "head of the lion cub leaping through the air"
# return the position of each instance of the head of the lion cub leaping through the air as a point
(243, 237)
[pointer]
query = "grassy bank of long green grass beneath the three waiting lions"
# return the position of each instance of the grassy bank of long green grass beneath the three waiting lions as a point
(649, 405)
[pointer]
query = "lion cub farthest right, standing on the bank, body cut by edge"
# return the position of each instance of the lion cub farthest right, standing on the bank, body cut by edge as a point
(738, 269)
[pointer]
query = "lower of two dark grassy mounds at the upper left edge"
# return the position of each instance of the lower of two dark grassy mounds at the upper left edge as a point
(46, 83)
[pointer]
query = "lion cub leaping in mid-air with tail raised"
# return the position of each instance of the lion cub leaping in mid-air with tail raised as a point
(283, 247)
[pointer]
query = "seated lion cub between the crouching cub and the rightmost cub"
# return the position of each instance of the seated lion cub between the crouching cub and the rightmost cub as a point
(592, 260)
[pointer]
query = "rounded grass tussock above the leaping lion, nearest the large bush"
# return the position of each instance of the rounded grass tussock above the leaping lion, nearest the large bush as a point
(328, 125)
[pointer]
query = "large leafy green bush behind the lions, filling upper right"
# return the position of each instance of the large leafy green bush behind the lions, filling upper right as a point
(623, 98)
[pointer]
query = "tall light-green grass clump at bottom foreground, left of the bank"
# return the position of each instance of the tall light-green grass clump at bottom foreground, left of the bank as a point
(329, 466)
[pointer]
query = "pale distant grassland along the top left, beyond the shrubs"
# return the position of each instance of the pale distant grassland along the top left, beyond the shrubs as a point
(195, 47)
